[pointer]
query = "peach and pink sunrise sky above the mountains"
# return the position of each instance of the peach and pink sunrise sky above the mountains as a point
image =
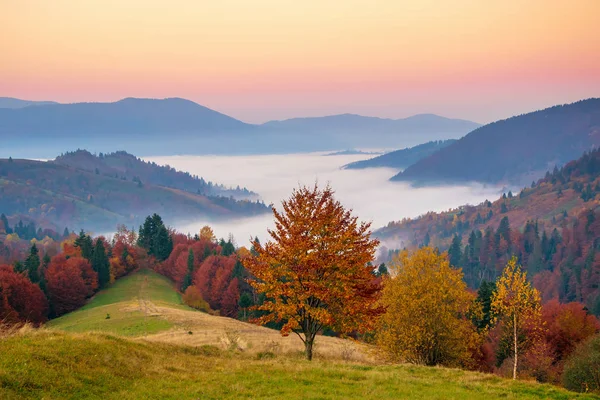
(274, 59)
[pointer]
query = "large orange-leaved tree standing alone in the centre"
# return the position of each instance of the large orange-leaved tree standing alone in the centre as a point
(315, 271)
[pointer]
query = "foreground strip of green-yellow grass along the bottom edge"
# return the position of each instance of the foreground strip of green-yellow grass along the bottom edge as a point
(58, 365)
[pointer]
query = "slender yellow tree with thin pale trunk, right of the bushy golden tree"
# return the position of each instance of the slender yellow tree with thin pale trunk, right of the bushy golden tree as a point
(517, 304)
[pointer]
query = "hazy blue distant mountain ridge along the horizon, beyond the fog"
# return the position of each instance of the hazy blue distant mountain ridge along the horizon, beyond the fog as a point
(179, 126)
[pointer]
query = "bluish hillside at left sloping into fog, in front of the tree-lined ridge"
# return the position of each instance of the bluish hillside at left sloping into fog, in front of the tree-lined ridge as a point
(59, 196)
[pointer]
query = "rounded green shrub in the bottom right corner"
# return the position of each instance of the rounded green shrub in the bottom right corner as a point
(582, 369)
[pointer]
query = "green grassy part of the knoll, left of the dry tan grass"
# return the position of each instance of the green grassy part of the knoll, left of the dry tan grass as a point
(128, 302)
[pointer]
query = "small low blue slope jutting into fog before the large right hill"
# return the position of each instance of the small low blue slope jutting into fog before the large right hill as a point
(401, 159)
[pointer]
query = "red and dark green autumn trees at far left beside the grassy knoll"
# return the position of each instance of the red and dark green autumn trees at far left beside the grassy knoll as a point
(52, 282)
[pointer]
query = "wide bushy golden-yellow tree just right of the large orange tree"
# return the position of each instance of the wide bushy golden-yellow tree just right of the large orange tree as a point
(428, 312)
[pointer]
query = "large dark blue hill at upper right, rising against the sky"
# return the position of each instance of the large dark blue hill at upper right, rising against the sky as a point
(515, 150)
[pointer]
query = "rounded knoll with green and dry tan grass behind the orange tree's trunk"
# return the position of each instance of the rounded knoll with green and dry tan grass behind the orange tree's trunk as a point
(145, 304)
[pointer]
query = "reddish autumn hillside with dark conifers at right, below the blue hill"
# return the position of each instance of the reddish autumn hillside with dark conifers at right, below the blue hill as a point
(552, 227)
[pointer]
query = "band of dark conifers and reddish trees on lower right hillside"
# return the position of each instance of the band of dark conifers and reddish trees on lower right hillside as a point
(563, 265)
